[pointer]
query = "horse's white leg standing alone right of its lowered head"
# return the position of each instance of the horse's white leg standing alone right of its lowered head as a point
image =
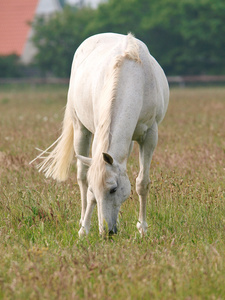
(147, 148)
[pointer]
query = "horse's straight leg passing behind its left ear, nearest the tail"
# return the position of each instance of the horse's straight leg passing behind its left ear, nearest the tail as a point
(82, 142)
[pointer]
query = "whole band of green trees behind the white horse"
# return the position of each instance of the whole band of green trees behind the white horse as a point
(186, 37)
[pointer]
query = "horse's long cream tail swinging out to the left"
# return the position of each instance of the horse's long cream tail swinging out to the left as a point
(56, 164)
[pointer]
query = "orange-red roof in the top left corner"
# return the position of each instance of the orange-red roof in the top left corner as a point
(14, 27)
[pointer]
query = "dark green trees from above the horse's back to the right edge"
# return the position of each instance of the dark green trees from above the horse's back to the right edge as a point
(184, 36)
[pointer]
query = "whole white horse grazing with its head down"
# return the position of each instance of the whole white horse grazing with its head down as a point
(118, 93)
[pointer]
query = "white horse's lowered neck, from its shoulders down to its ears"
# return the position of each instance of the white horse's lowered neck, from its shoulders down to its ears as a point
(120, 117)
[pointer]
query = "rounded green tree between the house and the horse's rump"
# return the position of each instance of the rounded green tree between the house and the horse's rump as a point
(58, 37)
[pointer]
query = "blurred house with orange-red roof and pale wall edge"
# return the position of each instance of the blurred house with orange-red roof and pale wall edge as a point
(15, 25)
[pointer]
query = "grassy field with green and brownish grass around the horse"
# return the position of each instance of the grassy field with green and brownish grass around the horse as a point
(183, 254)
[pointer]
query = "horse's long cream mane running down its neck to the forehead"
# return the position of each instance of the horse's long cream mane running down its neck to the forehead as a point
(97, 170)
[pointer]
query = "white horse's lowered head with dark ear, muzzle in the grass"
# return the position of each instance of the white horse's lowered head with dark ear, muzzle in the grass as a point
(110, 190)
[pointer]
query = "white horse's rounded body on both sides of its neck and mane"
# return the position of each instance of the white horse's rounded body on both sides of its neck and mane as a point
(91, 66)
